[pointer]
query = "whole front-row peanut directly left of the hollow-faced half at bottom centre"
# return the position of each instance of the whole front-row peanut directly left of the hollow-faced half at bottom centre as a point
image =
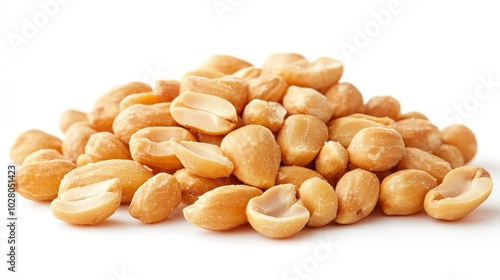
(222, 208)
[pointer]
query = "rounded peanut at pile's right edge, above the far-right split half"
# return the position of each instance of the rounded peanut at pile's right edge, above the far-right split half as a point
(461, 137)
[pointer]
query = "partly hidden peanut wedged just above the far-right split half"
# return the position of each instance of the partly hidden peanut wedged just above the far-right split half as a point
(418, 159)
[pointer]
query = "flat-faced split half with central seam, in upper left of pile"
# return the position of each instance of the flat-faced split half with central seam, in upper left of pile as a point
(209, 114)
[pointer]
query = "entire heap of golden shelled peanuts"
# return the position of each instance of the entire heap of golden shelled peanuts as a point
(281, 147)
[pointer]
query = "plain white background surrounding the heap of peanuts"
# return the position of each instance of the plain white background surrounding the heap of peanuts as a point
(431, 56)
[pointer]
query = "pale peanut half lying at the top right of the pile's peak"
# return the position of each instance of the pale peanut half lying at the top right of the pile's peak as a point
(320, 74)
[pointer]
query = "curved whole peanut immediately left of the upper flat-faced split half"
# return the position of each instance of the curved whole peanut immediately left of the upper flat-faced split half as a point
(139, 116)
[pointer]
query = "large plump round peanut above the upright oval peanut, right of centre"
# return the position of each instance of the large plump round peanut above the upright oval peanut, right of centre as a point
(376, 148)
